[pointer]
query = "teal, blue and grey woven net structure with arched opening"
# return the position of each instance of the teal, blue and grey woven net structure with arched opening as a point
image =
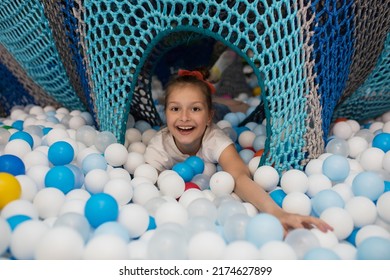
(315, 60)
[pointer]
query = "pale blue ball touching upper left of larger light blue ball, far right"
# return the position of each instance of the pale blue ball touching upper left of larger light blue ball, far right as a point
(336, 168)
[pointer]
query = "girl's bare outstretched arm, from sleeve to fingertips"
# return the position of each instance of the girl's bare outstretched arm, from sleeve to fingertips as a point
(250, 191)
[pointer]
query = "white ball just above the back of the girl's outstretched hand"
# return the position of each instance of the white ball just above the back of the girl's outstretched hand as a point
(297, 203)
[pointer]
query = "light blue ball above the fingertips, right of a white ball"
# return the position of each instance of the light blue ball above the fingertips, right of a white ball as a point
(325, 199)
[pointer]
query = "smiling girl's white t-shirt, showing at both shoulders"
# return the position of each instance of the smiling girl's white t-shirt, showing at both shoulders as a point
(162, 152)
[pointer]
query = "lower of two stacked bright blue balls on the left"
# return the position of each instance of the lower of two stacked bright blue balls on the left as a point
(60, 177)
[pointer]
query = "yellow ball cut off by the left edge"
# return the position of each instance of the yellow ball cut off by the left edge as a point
(10, 189)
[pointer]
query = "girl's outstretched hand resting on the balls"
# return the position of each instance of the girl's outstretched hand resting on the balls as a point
(292, 221)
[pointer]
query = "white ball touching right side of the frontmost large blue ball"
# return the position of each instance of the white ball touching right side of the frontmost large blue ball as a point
(135, 218)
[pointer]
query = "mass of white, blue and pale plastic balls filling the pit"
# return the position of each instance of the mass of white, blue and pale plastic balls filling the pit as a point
(68, 191)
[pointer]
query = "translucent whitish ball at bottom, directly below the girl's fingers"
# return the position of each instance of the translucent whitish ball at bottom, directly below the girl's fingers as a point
(301, 240)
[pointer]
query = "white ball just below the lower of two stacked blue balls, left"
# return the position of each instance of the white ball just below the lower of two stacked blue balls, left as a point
(48, 202)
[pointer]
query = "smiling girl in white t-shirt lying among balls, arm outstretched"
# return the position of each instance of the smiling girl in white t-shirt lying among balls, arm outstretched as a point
(190, 131)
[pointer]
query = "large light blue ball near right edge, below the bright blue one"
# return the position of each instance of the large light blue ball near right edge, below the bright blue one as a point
(368, 184)
